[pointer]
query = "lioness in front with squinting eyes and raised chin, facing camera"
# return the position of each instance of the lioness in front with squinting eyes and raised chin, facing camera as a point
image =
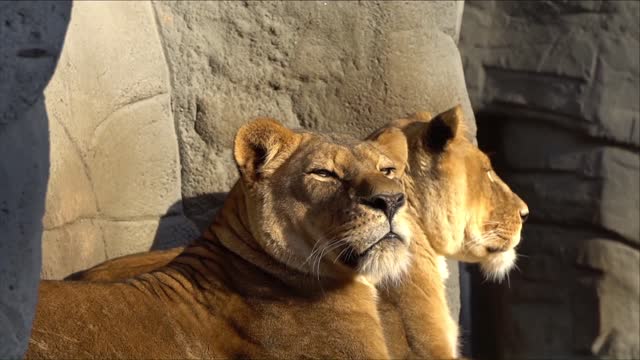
(285, 271)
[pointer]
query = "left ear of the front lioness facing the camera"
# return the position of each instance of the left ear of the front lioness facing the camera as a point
(256, 145)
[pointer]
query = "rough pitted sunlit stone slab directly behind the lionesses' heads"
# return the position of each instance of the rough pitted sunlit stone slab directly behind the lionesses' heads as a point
(330, 66)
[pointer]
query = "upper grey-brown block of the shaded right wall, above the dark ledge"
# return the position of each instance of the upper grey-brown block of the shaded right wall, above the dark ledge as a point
(573, 65)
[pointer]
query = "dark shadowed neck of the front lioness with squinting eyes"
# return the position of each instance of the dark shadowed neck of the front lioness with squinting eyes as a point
(229, 252)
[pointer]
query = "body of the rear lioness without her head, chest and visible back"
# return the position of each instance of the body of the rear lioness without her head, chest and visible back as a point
(414, 313)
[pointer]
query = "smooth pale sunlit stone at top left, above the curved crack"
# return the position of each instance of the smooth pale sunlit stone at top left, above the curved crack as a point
(112, 58)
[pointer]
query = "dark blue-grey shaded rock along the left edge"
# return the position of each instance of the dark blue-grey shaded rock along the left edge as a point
(31, 36)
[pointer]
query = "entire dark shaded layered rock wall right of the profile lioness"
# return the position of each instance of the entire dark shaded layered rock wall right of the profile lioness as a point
(556, 89)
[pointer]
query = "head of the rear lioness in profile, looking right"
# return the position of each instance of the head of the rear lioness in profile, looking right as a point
(464, 208)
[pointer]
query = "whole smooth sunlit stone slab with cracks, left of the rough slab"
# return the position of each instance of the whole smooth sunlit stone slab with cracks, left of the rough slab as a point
(114, 151)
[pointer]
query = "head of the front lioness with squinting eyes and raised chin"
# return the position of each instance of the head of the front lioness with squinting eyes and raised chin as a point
(326, 204)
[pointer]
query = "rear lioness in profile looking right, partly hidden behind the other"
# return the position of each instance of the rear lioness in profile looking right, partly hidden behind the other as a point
(466, 210)
